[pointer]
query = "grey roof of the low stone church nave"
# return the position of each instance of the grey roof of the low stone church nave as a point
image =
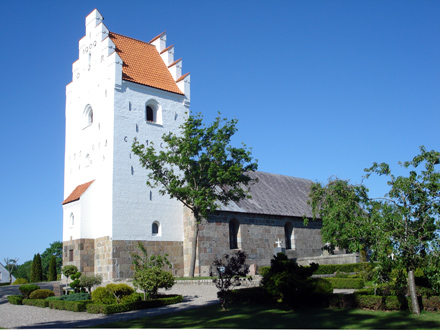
(275, 194)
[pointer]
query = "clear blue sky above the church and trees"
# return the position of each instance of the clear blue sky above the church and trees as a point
(320, 88)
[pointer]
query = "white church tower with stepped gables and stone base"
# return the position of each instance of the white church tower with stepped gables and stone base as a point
(121, 89)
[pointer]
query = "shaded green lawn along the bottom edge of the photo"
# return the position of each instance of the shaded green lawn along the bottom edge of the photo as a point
(257, 316)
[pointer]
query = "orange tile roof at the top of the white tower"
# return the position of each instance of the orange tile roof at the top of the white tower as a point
(143, 64)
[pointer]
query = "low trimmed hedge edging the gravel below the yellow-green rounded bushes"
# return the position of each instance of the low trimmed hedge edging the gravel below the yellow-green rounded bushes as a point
(118, 308)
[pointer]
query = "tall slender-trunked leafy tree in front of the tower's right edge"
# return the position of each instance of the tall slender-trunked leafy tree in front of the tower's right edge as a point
(199, 168)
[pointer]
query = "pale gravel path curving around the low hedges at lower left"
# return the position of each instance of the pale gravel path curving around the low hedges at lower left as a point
(16, 316)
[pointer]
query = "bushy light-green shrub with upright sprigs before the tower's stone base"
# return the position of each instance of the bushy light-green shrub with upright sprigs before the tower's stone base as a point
(149, 275)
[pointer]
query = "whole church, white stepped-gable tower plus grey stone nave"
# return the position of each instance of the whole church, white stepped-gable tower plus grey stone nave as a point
(122, 89)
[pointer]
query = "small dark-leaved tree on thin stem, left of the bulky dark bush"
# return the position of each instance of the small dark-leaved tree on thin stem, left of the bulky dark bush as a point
(228, 273)
